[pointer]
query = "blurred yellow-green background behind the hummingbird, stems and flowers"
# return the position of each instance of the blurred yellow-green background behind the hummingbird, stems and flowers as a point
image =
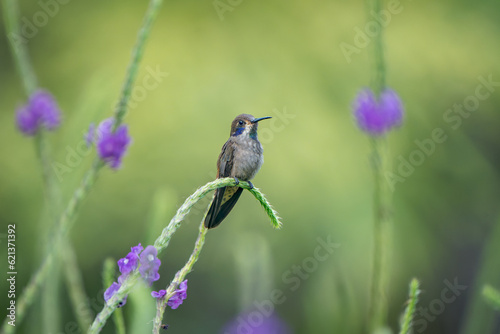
(270, 58)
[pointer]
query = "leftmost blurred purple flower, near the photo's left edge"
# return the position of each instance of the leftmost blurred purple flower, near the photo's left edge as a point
(41, 110)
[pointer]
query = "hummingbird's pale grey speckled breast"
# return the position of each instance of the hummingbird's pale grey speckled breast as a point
(248, 158)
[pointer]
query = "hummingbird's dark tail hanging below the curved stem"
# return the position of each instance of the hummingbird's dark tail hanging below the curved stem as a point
(223, 202)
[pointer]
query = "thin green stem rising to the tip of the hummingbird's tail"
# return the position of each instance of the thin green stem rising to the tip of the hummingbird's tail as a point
(161, 304)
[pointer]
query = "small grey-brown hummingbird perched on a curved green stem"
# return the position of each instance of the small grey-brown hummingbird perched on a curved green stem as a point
(240, 158)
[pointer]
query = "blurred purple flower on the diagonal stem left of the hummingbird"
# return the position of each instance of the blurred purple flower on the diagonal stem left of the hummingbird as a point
(112, 146)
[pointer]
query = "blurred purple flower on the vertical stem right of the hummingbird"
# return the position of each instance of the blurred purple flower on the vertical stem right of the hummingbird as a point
(376, 117)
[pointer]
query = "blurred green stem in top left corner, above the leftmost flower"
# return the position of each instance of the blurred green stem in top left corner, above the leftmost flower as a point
(18, 47)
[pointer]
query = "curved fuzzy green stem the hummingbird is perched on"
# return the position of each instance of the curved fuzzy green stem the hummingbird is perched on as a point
(163, 240)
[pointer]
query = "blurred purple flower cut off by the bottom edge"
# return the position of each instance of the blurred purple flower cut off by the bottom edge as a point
(257, 323)
